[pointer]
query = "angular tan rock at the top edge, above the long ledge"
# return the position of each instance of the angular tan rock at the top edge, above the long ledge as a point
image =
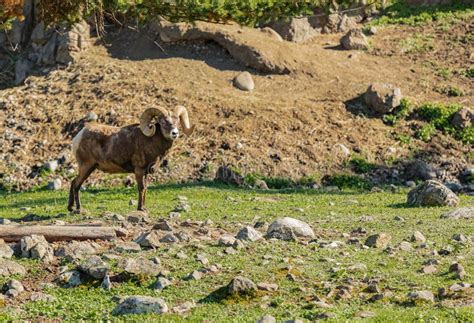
(294, 29)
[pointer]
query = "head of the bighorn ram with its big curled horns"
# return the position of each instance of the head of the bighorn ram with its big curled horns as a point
(167, 121)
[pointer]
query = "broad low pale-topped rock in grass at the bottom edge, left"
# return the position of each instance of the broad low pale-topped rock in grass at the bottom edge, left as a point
(141, 305)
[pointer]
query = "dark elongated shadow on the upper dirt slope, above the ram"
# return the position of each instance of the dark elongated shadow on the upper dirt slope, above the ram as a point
(142, 45)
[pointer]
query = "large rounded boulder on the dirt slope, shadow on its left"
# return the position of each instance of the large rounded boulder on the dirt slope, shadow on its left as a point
(382, 98)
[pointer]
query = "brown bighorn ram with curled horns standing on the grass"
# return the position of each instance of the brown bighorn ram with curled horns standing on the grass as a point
(131, 149)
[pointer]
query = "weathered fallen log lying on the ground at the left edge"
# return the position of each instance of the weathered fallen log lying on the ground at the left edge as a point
(13, 233)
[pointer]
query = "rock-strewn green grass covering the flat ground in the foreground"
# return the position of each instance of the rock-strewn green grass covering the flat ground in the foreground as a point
(330, 215)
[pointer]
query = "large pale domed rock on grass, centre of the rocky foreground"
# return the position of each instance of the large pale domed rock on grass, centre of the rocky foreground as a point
(288, 228)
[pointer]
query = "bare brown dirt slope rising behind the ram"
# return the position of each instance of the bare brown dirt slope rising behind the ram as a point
(290, 125)
